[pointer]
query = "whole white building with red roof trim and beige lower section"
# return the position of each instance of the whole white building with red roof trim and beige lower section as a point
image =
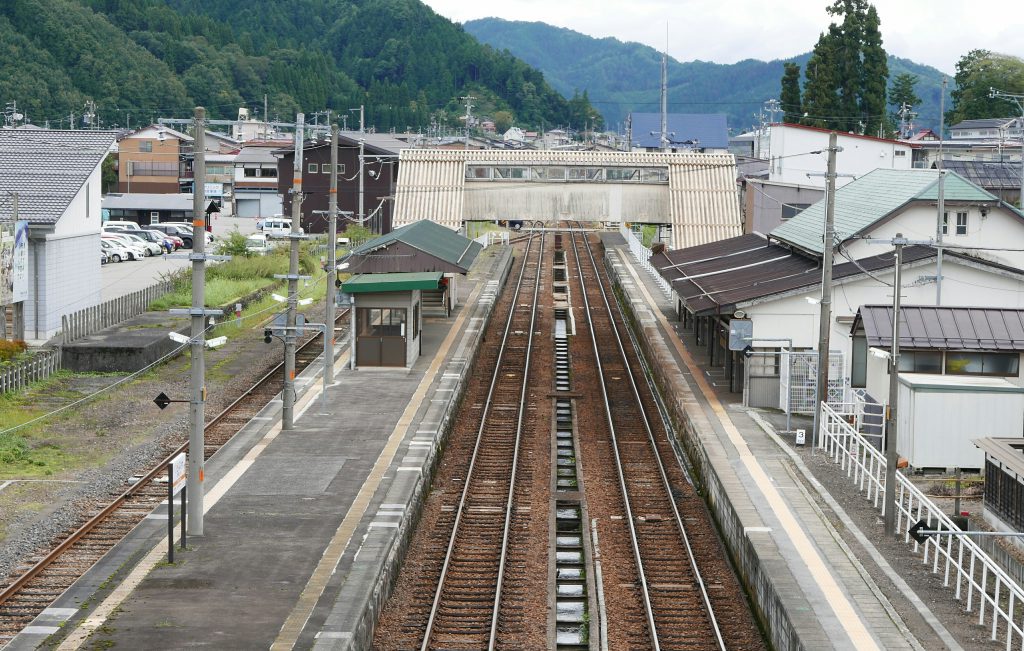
(798, 159)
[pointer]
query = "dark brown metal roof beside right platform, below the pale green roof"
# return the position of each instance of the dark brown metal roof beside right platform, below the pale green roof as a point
(726, 275)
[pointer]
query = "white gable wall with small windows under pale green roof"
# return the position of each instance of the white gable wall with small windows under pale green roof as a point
(998, 230)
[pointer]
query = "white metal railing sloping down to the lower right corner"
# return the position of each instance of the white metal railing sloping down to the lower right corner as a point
(979, 583)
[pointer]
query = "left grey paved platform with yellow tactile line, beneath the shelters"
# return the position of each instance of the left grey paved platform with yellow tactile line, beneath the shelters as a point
(304, 527)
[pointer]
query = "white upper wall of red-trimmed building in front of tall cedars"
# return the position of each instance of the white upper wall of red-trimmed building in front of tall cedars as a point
(860, 156)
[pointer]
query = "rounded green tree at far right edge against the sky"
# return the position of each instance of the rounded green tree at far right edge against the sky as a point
(977, 72)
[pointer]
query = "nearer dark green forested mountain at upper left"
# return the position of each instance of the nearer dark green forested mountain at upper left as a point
(142, 60)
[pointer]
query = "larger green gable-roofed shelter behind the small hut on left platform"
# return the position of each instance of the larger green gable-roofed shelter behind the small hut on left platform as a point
(420, 247)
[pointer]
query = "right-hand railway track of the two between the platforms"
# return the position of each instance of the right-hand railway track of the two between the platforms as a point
(677, 610)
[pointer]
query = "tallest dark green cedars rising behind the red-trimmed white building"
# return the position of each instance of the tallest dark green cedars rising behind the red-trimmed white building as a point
(847, 72)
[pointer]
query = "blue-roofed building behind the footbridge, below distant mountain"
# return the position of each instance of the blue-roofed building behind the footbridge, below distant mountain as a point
(687, 133)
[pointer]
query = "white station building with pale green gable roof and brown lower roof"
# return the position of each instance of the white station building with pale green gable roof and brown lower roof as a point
(777, 281)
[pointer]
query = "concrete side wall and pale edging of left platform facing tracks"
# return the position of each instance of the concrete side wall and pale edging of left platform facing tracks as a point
(371, 583)
